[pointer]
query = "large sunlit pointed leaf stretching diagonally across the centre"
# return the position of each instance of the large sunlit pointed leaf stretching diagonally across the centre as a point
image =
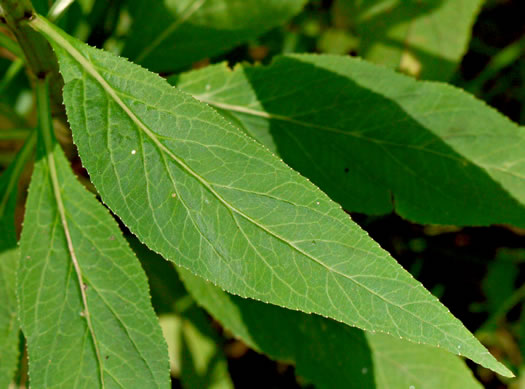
(204, 195)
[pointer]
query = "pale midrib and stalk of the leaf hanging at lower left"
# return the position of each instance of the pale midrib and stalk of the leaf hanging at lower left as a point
(46, 128)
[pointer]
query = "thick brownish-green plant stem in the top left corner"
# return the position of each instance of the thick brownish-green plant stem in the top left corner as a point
(39, 56)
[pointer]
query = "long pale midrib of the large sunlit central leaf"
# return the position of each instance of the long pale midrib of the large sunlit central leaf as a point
(41, 25)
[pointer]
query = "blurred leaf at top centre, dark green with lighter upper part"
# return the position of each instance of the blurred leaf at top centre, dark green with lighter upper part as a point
(168, 35)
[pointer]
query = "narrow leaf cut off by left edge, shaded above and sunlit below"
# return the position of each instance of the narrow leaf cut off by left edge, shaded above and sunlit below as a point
(9, 257)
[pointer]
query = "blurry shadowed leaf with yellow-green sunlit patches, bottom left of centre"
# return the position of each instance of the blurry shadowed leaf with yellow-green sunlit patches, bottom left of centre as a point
(194, 346)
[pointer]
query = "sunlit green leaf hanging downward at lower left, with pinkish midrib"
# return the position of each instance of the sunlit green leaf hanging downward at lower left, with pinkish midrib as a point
(83, 297)
